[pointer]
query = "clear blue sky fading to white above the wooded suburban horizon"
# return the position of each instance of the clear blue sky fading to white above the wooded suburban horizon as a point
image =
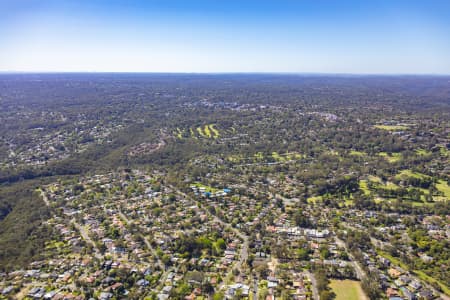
(318, 36)
